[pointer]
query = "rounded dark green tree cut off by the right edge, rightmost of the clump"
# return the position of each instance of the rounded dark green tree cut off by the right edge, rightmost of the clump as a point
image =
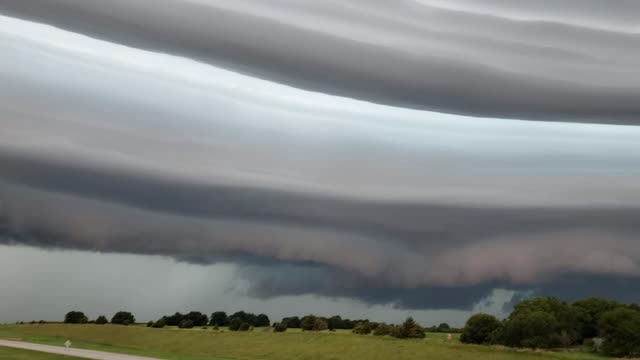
(620, 330)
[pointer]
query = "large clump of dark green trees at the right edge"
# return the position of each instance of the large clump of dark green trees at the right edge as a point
(602, 325)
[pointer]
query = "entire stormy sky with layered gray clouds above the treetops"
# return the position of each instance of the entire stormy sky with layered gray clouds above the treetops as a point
(373, 159)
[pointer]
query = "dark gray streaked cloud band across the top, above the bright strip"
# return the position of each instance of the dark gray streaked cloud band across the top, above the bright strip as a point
(509, 60)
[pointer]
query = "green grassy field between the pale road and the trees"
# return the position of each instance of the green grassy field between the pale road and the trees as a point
(199, 344)
